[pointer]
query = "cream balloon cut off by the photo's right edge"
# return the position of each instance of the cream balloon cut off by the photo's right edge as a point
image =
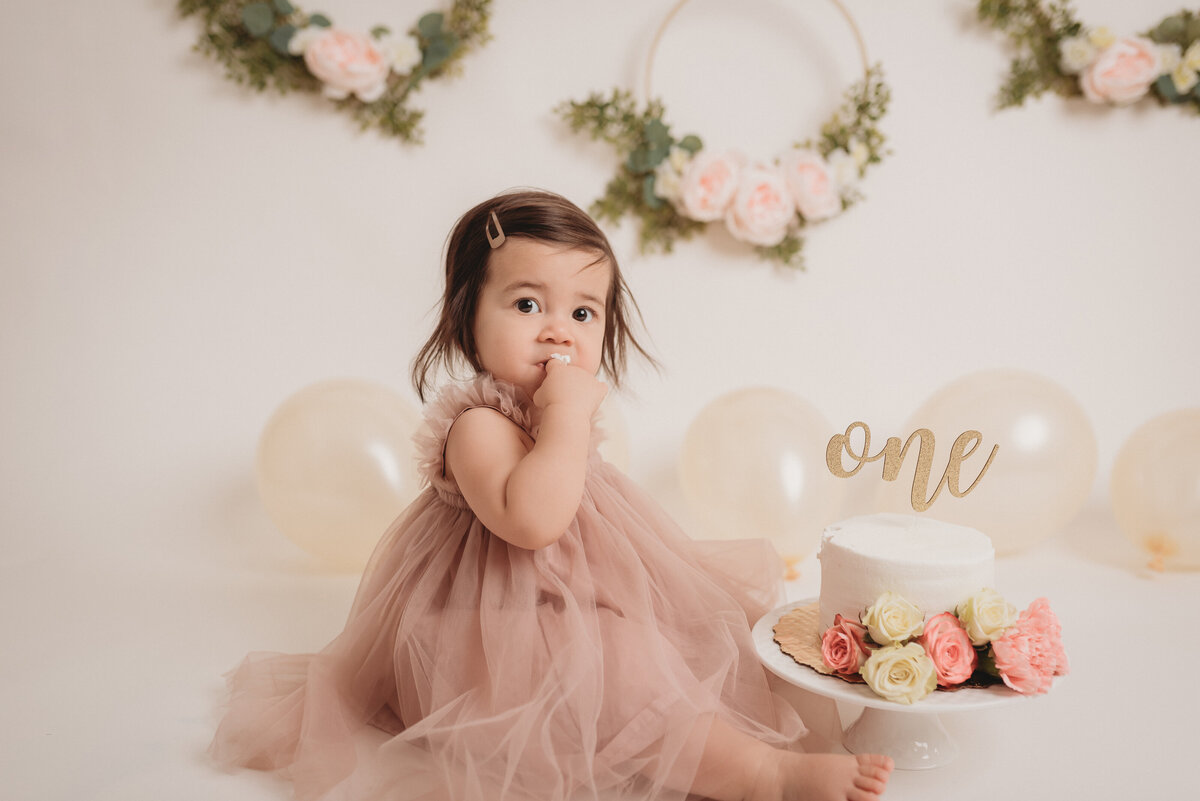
(1156, 489)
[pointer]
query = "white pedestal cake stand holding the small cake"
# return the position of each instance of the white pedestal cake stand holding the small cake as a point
(911, 734)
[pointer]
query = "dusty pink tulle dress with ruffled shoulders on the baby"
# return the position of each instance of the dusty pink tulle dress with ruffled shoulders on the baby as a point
(475, 670)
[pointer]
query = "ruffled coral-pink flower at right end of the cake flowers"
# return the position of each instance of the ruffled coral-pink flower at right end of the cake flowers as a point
(1030, 653)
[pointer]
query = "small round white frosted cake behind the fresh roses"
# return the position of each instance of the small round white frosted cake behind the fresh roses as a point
(934, 565)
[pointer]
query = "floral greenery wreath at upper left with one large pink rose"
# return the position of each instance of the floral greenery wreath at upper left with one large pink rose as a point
(370, 75)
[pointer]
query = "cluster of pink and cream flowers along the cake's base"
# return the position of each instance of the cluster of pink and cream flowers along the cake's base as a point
(904, 658)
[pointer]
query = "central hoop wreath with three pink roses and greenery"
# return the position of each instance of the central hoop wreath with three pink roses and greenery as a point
(676, 188)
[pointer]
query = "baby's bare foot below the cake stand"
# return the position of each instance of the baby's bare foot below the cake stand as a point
(826, 778)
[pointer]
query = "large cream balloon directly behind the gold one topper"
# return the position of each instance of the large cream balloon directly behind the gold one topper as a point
(1041, 477)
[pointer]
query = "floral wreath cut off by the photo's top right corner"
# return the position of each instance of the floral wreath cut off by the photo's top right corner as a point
(1059, 53)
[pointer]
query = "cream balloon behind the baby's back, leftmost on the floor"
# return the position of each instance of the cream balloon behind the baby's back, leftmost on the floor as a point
(337, 466)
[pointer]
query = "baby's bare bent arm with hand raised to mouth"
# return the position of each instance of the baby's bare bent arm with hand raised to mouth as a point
(529, 493)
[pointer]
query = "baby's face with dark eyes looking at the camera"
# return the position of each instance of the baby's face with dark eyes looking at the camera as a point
(539, 300)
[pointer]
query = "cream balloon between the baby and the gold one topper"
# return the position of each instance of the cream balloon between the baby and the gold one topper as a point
(753, 466)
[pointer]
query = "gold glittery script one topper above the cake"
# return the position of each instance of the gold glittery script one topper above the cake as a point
(893, 455)
